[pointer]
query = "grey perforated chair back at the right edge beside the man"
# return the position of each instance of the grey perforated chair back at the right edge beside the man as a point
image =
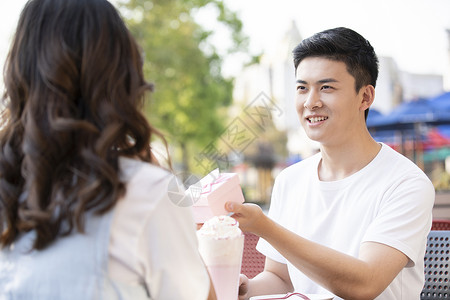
(437, 266)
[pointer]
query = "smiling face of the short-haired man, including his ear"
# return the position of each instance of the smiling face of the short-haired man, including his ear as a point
(327, 104)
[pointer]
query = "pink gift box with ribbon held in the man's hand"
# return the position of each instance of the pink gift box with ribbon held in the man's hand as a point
(215, 191)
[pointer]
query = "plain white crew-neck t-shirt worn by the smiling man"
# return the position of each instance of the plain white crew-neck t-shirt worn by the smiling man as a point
(389, 201)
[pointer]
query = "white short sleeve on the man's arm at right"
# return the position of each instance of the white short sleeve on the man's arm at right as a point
(404, 218)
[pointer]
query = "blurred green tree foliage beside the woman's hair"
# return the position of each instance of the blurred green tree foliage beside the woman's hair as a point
(191, 95)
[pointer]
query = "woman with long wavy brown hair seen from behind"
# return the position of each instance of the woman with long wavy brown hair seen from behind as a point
(84, 209)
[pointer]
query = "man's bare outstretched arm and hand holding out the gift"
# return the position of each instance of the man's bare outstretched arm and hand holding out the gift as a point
(348, 277)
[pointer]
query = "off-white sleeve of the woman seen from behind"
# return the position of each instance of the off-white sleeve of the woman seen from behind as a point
(169, 247)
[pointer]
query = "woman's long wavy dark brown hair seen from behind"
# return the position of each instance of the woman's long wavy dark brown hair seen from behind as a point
(74, 89)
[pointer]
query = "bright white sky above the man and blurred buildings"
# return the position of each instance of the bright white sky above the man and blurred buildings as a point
(413, 32)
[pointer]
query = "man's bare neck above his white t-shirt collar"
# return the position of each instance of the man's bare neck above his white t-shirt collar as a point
(343, 160)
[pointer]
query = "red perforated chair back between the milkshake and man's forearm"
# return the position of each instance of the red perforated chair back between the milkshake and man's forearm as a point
(252, 260)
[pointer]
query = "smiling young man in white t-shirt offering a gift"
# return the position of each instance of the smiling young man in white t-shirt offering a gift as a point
(353, 219)
